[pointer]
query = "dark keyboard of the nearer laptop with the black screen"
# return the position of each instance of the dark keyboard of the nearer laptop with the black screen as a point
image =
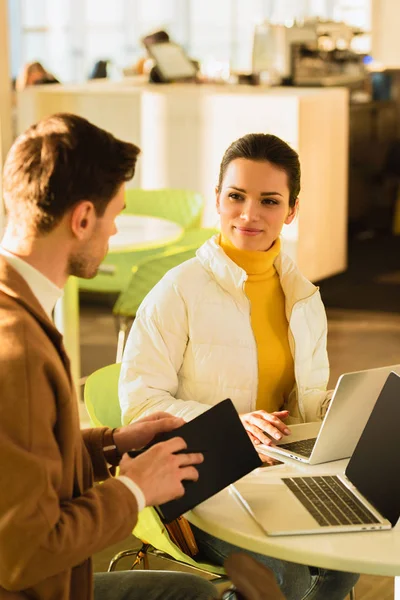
(329, 501)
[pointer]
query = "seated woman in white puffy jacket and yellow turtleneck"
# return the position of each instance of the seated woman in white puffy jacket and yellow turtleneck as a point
(239, 321)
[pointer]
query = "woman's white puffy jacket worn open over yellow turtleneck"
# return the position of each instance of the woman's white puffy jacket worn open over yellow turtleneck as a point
(192, 344)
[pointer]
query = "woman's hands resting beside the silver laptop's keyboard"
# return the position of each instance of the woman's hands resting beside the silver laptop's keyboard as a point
(259, 423)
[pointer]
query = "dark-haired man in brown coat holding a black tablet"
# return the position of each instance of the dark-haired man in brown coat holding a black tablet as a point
(63, 188)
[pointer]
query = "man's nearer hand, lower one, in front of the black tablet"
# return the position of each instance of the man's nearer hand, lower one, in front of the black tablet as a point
(159, 471)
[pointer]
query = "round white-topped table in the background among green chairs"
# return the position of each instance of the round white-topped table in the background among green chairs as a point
(135, 232)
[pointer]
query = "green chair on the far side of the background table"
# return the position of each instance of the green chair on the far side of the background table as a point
(180, 206)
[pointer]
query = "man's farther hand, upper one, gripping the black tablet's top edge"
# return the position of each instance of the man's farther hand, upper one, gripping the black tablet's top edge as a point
(140, 433)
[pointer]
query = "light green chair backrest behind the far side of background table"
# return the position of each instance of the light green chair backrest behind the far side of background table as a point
(180, 206)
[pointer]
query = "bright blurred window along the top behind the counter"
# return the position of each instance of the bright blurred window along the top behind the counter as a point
(70, 36)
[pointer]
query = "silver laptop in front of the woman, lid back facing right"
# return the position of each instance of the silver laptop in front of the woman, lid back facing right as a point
(337, 435)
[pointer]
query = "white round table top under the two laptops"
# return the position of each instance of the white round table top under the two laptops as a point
(376, 553)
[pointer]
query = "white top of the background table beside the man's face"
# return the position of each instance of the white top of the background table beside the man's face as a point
(137, 232)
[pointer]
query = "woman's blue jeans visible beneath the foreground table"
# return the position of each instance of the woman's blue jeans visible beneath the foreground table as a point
(297, 582)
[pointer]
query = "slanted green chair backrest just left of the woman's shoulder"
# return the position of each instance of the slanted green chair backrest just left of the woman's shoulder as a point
(145, 276)
